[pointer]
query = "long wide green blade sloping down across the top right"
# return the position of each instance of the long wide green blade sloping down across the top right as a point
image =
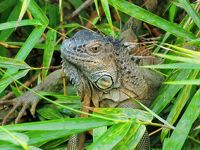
(146, 16)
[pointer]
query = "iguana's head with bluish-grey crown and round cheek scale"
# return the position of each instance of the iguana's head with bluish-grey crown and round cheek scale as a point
(92, 55)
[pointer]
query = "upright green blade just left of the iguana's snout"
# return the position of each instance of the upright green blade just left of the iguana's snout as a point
(48, 51)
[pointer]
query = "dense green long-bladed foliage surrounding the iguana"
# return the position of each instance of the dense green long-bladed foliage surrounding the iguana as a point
(31, 32)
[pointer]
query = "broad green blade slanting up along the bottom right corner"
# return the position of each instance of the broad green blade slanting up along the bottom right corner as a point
(183, 127)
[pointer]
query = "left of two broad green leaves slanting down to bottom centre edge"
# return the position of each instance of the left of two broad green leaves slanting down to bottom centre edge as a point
(110, 138)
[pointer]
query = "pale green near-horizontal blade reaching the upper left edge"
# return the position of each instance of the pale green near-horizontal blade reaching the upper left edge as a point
(14, 24)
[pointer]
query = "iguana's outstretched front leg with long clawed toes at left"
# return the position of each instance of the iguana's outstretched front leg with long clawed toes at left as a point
(29, 100)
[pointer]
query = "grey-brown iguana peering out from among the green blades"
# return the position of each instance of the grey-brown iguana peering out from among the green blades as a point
(102, 67)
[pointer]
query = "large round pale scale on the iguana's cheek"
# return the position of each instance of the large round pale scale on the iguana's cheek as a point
(104, 82)
